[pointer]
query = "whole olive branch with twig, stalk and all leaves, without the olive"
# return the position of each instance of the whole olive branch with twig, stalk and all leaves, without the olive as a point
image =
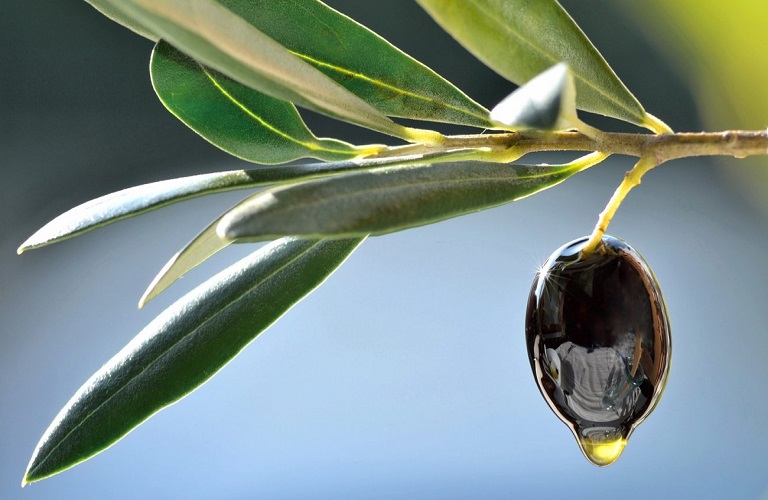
(235, 74)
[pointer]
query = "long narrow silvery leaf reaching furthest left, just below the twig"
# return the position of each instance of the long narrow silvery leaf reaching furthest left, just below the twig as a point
(137, 200)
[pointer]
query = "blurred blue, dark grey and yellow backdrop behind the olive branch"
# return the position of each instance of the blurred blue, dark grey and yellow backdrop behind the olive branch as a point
(406, 374)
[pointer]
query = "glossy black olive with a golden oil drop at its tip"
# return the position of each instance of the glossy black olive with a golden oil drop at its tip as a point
(598, 340)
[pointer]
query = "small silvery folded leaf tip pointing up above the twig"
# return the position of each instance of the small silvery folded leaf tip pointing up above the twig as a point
(546, 102)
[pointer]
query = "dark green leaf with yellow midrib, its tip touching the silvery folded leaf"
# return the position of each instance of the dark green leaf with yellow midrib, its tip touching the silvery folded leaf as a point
(360, 60)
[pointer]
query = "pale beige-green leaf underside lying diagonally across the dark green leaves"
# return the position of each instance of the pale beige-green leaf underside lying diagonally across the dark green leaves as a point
(218, 38)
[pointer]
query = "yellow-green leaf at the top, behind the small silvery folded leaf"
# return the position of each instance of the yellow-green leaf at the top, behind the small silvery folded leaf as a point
(521, 38)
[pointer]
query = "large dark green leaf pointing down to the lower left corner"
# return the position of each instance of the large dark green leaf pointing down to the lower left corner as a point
(184, 347)
